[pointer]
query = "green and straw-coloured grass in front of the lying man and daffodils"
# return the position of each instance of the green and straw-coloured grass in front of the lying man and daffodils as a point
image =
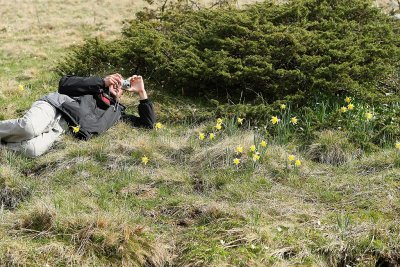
(211, 216)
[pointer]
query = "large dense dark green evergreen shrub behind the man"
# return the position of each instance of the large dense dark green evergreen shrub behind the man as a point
(266, 51)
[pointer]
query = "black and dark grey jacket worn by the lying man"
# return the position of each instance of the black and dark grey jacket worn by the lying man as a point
(88, 114)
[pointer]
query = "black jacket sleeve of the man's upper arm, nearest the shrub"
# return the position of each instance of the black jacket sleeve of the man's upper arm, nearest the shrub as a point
(78, 86)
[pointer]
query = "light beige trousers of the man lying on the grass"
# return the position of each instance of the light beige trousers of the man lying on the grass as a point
(35, 132)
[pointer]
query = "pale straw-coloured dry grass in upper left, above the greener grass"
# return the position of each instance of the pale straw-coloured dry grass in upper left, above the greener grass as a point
(31, 28)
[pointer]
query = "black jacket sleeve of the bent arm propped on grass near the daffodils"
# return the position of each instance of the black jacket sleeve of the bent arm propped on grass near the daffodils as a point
(147, 117)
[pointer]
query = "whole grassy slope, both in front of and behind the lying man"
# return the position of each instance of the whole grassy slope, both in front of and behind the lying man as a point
(94, 203)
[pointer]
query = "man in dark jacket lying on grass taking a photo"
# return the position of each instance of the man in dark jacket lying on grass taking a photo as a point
(84, 105)
